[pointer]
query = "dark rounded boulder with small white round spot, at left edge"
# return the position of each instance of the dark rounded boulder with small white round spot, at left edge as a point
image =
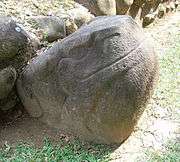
(13, 42)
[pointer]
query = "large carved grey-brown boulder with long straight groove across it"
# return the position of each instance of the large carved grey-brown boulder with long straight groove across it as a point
(95, 83)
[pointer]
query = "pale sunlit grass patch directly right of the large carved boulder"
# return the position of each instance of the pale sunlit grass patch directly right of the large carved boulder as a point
(167, 94)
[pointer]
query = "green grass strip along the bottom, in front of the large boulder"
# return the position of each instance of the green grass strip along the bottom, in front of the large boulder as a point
(73, 151)
